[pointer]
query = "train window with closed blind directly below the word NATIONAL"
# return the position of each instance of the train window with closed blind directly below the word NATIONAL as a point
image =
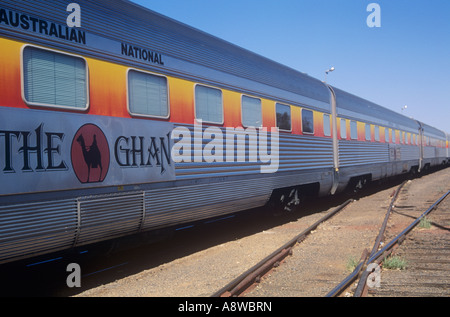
(147, 94)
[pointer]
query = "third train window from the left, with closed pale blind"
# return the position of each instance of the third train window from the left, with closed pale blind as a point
(208, 104)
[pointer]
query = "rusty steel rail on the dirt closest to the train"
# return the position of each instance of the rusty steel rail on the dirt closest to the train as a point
(242, 282)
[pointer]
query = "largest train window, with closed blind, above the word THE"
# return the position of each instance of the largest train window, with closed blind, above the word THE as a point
(54, 79)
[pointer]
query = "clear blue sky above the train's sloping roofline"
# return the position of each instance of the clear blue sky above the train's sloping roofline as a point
(406, 61)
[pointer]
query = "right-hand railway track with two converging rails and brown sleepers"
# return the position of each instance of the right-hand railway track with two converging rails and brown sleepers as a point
(427, 252)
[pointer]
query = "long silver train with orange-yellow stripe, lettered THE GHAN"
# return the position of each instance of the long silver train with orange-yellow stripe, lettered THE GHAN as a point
(116, 120)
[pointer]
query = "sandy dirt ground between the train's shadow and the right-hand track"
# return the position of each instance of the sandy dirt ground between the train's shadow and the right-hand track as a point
(315, 267)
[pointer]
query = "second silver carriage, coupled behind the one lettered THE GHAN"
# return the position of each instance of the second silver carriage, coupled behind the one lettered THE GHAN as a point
(374, 146)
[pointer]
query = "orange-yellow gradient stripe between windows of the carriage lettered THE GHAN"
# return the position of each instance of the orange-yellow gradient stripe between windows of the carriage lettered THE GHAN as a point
(108, 94)
